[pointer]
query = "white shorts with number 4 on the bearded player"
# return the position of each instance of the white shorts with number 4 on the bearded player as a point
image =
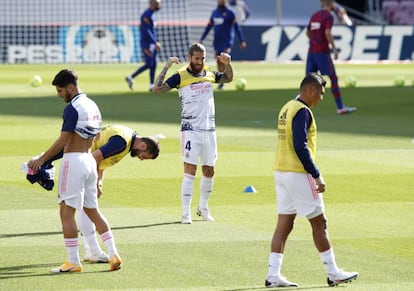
(201, 145)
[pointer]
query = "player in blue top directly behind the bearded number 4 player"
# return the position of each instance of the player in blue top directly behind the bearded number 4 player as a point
(225, 24)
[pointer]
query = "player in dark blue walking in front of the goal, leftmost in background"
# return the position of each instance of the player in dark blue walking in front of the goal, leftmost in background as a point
(149, 44)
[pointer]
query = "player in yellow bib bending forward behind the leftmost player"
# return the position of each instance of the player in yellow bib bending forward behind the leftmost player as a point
(110, 146)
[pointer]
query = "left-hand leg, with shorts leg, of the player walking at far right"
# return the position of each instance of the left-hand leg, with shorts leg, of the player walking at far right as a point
(284, 226)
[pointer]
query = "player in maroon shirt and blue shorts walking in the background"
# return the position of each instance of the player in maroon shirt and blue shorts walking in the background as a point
(319, 58)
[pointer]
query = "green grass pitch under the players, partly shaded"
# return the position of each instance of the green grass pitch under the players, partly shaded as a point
(367, 159)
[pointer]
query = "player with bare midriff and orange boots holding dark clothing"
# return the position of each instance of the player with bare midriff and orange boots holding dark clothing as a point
(78, 172)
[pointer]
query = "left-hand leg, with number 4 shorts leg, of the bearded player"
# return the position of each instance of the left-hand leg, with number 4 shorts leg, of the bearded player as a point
(190, 149)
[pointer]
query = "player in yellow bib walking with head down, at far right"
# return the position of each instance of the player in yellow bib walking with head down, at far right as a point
(299, 184)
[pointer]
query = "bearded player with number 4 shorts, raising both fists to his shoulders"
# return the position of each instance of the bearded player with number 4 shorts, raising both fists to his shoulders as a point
(198, 136)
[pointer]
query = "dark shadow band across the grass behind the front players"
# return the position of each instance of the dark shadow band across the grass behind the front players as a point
(381, 111)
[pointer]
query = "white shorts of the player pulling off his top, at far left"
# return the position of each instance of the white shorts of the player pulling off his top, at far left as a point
(77, 181)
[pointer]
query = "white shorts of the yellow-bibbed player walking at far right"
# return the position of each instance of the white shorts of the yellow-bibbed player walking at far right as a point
(296, 194)
